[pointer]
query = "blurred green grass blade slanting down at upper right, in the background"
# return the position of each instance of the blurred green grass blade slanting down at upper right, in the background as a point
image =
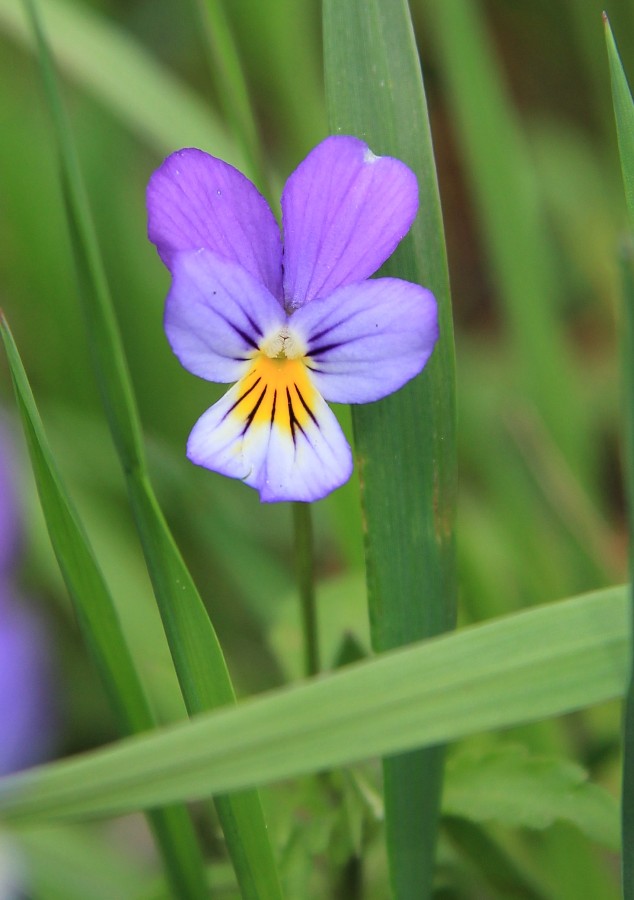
(514, 229)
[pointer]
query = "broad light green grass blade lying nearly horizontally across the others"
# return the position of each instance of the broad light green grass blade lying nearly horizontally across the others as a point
(521, 668)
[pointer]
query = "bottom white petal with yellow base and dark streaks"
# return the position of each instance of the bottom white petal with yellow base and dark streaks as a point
(304, 462)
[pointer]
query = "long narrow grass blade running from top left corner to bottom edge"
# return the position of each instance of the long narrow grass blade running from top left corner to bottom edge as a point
(197, 656)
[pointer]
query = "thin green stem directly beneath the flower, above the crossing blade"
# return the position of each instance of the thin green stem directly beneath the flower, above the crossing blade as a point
(304, 563)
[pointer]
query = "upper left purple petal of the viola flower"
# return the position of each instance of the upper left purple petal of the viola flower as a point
(195, 200)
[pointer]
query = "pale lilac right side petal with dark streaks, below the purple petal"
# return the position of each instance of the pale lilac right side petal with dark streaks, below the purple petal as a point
(366, 340)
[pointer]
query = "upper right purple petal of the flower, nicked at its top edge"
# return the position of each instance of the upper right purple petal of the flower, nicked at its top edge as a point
(344, 211)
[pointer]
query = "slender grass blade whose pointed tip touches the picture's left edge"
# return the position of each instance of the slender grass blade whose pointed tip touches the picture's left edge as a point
(100, 627)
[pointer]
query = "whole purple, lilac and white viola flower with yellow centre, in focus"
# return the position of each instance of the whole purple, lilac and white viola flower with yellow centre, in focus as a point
(293, 327)
